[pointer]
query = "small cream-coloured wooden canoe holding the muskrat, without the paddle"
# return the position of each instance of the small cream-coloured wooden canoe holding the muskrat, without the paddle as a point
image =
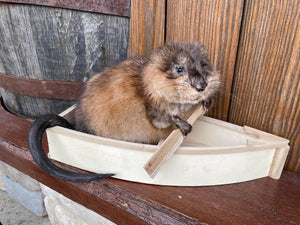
(214, 153)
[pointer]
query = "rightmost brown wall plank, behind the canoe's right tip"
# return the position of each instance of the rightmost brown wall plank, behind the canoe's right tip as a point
(267, 75)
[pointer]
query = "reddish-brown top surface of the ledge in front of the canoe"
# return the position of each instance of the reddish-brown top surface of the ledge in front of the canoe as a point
(263, 201)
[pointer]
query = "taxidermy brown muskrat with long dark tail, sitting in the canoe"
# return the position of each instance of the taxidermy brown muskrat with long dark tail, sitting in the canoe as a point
(139, 100)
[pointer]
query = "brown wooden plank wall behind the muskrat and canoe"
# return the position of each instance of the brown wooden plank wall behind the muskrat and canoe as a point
(255, 45)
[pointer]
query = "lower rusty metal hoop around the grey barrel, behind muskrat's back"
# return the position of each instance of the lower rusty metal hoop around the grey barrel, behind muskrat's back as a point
(41, 89)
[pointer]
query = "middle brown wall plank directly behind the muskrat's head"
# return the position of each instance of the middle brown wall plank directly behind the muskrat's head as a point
(216, 24)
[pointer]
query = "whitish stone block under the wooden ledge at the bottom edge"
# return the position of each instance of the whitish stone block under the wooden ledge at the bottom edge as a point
(63, 211)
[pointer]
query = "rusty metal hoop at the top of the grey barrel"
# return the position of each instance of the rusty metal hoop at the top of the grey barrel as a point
(113, 7)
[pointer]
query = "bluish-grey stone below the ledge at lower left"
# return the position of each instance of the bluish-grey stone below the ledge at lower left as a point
(32, 200)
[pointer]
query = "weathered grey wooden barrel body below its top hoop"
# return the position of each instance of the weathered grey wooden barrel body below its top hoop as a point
(46, 53)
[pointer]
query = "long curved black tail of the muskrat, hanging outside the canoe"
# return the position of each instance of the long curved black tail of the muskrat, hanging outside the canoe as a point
(35, 146)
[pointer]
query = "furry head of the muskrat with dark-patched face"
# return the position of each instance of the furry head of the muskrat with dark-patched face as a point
(181, 73)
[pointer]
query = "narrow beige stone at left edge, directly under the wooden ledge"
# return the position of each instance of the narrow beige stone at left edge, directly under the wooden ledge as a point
(19, 177)
